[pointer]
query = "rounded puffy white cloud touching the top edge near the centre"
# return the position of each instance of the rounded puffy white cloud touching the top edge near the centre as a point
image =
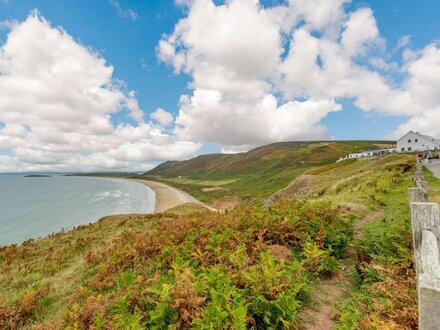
(212, 36)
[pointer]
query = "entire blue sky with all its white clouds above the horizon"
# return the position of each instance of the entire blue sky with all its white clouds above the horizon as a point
(110, 85)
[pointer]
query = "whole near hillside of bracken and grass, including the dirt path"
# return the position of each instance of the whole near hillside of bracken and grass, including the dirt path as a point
(336, 243)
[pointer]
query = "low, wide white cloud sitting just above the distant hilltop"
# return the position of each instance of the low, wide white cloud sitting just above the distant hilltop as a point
(206, 116)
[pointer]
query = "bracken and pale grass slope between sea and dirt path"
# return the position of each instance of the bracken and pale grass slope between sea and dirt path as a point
(247, 268)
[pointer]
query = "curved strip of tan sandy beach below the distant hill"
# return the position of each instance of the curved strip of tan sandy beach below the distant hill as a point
(168, 197)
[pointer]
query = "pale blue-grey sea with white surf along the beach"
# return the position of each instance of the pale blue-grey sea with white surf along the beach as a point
(37, 207)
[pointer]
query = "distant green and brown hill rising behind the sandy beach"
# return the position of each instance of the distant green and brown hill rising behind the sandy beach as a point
(256, 174)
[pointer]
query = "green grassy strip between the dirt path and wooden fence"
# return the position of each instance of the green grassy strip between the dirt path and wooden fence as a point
(383, 296)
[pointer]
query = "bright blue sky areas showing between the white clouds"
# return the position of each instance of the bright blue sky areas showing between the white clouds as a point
(127, 35)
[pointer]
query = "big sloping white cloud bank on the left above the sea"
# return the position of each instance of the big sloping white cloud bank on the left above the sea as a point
(57, 100)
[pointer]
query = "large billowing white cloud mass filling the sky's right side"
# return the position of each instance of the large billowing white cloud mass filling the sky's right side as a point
(262, 74)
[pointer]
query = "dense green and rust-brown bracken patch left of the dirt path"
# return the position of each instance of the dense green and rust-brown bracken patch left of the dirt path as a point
(247, 268)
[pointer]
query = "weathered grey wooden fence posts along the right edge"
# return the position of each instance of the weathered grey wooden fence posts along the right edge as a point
(426, 243)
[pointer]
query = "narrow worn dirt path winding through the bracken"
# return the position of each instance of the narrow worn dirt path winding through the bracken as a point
(326, 294)
